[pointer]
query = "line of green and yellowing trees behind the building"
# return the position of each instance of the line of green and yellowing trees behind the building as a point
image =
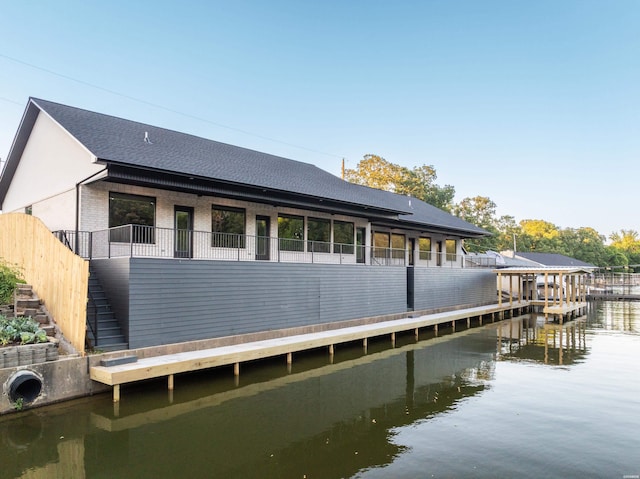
(530, 235)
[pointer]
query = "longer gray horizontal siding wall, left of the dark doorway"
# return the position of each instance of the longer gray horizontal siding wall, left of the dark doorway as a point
(182, 300)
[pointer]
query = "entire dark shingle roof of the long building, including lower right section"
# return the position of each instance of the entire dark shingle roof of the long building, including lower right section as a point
(122, 142)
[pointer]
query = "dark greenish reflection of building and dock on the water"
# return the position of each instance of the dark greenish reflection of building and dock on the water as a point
(332, 419)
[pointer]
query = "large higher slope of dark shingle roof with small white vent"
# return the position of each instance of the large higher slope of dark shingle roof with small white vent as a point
(122, 141)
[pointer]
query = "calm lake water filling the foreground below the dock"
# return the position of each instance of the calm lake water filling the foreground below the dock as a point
(513, 399)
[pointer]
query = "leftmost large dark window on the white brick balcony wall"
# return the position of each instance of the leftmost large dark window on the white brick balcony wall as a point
(139, 211)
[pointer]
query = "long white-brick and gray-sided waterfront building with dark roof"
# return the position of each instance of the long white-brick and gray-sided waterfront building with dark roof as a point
(188, 238)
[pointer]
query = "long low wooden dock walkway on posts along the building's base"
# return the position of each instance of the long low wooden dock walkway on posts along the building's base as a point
(171, 364)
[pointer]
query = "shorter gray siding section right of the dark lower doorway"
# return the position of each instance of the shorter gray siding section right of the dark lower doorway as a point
(436, 288)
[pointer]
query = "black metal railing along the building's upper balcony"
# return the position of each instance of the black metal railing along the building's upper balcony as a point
(146, 241)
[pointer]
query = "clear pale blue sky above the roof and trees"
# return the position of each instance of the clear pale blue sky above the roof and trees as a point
(534, 104)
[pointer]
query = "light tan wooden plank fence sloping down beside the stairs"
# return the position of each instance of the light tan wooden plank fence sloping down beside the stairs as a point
(58, 276)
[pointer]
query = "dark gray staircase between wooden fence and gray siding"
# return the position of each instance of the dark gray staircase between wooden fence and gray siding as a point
(103, 328)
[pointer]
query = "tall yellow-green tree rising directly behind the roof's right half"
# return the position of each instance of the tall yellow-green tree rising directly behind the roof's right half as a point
(419, 182)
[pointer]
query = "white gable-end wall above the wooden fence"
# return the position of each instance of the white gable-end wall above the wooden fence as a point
(51, 165)
